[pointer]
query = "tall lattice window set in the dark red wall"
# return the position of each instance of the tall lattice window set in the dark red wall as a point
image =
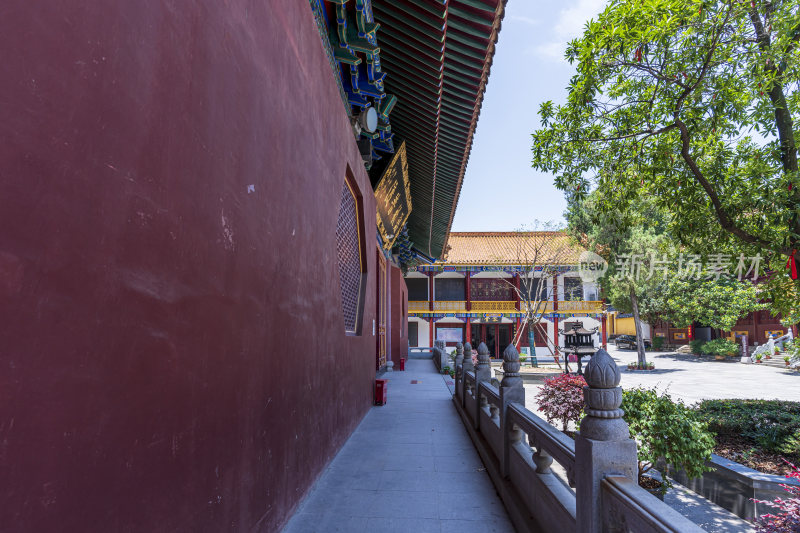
(351, 258)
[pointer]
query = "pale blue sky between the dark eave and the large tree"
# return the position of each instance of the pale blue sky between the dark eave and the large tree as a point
(501, 191)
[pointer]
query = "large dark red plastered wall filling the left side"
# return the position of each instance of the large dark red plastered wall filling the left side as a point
(172, 348)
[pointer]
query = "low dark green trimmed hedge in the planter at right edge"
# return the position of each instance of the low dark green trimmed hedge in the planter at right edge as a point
(772, 424)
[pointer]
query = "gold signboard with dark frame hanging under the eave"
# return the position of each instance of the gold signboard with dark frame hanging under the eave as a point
(393, 198)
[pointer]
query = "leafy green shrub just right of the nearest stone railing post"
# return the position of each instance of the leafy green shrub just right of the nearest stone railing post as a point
(666, 431)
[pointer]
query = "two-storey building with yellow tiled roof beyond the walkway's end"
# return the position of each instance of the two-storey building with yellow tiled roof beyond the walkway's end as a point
(473, 294)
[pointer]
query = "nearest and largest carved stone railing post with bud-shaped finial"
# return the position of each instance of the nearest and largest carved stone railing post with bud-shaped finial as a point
(603, 446)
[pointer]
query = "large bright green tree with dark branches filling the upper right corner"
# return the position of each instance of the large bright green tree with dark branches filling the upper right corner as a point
(694, 104)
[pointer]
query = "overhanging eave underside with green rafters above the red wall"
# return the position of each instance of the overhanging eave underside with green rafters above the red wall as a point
(437, 56)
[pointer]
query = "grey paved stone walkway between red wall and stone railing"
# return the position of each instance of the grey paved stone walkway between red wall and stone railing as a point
(409, 467)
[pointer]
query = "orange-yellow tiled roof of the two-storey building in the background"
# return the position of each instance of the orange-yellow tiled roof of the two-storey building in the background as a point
(511, 248)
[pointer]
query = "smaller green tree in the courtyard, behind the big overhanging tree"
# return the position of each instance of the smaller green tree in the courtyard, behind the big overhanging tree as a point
(649, 285)
